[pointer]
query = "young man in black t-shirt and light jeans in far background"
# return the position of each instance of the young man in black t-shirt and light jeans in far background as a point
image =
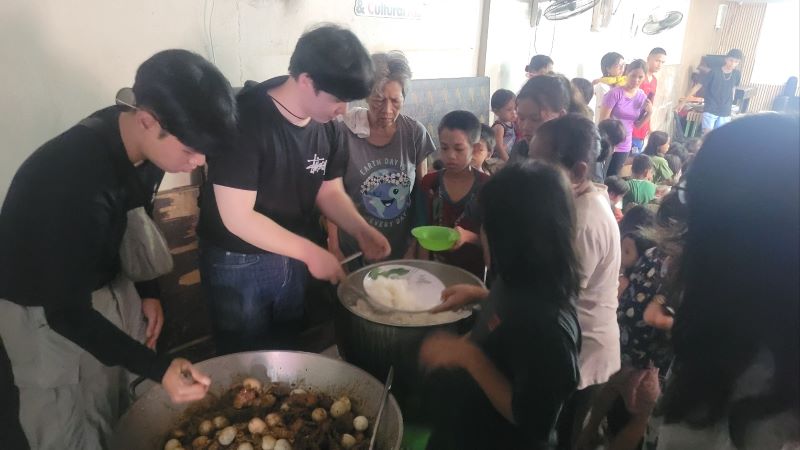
(719, 87)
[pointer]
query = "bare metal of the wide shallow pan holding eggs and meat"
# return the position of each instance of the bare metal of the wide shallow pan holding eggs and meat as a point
(145, 425)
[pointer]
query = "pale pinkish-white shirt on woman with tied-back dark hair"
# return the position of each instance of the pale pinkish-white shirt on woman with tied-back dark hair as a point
(599, 253)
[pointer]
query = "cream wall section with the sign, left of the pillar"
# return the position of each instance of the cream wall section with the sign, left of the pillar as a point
(64, 59)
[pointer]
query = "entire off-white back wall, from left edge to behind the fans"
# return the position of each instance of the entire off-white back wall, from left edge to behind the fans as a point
(63, 60)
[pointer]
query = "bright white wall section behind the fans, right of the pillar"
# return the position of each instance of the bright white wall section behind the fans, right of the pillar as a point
(577, 50)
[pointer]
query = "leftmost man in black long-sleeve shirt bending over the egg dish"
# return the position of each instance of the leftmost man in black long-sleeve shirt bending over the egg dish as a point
(67, 302)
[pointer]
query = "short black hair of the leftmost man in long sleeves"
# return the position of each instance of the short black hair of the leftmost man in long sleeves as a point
(189, 97)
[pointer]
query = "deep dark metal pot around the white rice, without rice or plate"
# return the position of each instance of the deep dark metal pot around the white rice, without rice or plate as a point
(375, 339)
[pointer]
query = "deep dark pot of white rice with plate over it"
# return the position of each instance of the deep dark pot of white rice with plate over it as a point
(384, 316)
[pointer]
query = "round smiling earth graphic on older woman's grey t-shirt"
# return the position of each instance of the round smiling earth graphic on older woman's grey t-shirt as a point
(385, 193)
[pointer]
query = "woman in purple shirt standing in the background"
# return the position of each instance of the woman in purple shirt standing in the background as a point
(629, 105)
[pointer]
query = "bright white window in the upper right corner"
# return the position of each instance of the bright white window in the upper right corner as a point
(778, 50)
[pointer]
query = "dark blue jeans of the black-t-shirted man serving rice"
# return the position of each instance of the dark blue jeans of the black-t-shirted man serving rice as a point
(252, 297)
